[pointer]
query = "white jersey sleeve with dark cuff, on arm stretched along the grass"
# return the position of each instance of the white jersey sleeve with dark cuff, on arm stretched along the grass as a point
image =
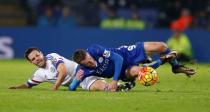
(36, 79)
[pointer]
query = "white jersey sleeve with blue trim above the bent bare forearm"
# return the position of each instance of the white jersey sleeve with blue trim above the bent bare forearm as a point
(56, 59)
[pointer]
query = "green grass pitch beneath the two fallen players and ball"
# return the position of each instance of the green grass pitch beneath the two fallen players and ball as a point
(172, 93)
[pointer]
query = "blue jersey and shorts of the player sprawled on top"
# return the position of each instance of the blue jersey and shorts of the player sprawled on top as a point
(106, 60)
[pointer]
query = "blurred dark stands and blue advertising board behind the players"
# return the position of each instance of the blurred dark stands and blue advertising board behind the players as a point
(21, 27)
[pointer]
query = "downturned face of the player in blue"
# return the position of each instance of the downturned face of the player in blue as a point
(88, 61)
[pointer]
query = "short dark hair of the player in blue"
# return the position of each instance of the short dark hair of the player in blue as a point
(79, 55)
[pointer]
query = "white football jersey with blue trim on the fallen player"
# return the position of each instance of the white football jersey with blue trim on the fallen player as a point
(50, 73)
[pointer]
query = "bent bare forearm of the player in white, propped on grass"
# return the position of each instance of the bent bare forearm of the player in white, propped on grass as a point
(61, 76)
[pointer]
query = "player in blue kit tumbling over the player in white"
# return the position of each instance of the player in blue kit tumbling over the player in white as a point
(114, 62)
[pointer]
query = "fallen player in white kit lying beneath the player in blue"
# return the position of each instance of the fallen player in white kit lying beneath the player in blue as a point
(58, 70)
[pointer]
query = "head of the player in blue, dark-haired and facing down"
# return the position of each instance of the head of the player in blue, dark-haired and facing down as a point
(82, 57)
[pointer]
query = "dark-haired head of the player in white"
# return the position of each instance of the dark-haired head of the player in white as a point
(35, 56)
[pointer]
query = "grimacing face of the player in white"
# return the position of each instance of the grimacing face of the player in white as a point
(37, 58)
